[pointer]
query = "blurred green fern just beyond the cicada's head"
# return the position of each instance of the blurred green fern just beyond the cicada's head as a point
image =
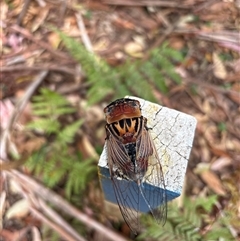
(138, 78)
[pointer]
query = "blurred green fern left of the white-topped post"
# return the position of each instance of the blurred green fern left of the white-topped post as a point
(54, 162)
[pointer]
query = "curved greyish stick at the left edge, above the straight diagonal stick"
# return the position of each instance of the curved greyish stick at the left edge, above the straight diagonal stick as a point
(18, 110)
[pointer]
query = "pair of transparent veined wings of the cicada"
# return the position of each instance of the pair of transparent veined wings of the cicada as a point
(127, 192)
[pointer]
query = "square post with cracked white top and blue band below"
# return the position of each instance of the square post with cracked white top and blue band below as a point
(172, 132)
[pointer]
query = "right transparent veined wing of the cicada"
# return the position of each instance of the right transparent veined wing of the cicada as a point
(155, 177)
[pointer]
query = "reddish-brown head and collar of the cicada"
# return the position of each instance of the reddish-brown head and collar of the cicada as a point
(122, 109)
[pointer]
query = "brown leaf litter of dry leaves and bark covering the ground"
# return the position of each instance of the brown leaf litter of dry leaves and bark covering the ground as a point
(210, 90)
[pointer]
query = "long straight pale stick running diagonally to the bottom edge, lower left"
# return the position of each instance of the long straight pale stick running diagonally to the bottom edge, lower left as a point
(59, 202)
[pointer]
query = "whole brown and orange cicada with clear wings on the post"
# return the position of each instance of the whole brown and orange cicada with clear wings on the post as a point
(133, 163)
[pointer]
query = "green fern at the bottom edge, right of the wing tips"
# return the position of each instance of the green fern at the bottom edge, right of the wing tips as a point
(188, 223)
